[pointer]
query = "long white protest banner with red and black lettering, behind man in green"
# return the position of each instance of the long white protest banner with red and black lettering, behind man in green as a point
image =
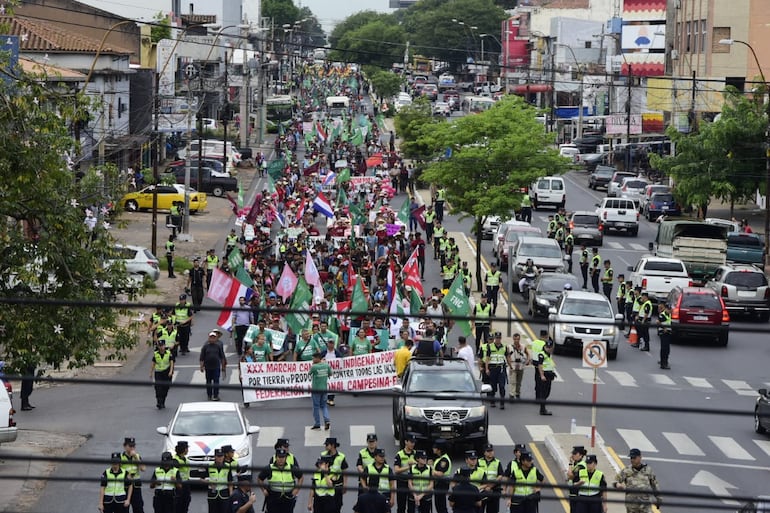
(264, 381)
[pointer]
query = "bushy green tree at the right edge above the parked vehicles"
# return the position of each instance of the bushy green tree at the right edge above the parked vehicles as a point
(724, 159)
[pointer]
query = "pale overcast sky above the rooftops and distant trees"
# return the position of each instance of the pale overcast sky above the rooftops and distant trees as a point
(328, 12)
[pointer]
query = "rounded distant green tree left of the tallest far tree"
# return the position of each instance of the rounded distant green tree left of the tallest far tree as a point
(379, 43)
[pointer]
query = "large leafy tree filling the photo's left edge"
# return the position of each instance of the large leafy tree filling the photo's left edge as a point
(48, 257)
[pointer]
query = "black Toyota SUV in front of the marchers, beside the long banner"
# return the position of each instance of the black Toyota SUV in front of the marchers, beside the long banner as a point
(441, 399)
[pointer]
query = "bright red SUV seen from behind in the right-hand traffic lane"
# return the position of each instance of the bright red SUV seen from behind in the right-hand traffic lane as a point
(699, 313)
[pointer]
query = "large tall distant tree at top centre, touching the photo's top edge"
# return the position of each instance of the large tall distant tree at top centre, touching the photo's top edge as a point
(433, 33)
